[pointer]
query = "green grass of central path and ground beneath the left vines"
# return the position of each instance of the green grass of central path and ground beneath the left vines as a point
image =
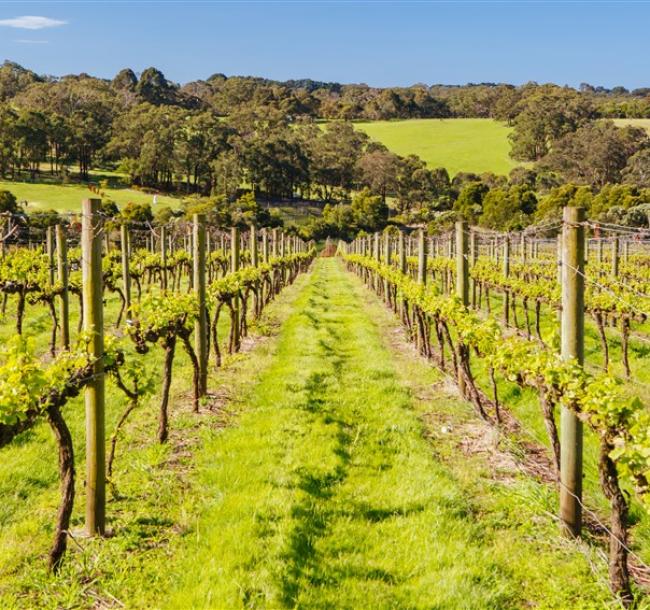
(318, 478)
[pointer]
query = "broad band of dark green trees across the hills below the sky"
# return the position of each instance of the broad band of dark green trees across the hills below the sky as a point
(214, 140)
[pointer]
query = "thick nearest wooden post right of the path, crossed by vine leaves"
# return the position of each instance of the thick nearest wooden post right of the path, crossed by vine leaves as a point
(573, 264)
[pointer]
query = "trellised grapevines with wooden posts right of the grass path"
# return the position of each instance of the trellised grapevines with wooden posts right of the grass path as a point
(437, 302)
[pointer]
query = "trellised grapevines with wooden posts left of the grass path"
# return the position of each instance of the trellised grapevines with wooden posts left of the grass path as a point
(162, 312)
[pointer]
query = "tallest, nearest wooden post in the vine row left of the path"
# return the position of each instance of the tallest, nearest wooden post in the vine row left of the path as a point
(94, 394)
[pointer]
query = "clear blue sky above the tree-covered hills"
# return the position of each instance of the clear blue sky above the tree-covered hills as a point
(379, 43)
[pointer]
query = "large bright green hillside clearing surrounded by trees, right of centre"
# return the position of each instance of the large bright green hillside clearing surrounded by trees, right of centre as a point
(459, 145)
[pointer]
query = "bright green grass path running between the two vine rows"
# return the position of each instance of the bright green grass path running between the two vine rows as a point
(326, 493)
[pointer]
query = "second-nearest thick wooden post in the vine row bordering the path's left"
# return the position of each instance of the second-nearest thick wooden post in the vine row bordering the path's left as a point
(201, 325)
